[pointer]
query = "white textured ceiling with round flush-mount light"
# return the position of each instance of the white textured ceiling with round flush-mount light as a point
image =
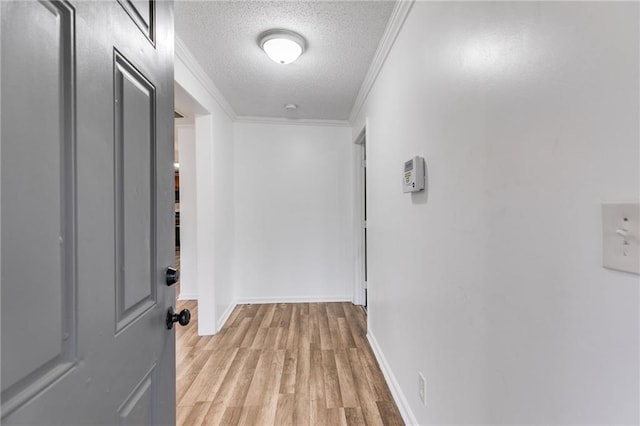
(342, 37)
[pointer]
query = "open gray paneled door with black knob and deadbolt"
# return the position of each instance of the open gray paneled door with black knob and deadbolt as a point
(86, 212)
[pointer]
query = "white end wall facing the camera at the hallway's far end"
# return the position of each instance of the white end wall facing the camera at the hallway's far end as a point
(294, 237)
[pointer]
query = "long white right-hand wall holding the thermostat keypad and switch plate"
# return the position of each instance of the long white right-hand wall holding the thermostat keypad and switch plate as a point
(490, 283)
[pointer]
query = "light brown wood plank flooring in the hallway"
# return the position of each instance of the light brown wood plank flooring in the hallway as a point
(282, 364)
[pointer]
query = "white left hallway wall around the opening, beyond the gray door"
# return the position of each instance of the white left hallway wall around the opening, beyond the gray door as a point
(214, 194)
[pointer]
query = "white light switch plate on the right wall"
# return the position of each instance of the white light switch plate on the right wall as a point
(621, 237)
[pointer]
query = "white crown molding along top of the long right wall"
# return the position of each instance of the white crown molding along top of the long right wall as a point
(396, 21)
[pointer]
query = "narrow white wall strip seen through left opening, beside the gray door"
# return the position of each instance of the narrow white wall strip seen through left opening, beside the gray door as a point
(185, 135)
